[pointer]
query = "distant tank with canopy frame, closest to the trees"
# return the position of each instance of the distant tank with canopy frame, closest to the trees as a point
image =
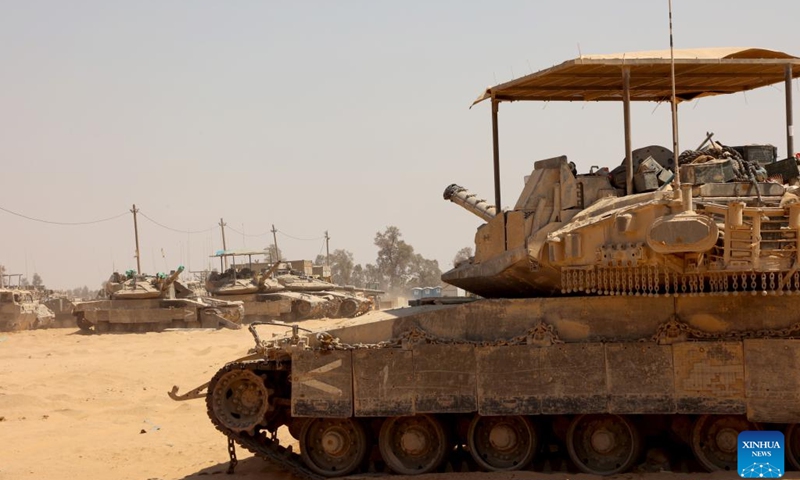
(281, 292)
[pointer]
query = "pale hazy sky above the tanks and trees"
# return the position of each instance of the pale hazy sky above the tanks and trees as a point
(313, 116)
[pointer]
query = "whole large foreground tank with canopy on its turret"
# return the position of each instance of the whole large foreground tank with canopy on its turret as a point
(629, 323)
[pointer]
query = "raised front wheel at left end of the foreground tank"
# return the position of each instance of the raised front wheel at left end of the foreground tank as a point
(240, 400)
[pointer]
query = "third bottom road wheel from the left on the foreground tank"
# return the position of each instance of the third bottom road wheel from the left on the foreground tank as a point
(502, 443)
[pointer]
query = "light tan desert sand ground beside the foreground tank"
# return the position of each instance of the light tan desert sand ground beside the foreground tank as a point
(87, 406)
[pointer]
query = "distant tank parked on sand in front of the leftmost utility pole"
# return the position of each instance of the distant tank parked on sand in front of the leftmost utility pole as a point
(142, 303)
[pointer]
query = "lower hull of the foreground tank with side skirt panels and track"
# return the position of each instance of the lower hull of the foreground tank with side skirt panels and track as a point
(558, 367)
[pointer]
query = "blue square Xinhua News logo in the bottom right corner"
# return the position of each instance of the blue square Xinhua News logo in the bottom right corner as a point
(760, 454)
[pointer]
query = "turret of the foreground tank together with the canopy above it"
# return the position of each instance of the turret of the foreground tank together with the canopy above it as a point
(639, 229)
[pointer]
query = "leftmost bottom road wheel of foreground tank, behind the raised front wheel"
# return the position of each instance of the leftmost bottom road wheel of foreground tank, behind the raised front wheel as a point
(333, 447)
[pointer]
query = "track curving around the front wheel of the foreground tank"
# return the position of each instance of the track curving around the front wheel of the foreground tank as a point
(267, 447)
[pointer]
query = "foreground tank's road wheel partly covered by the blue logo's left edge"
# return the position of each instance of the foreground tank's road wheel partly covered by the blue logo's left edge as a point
(714, 440)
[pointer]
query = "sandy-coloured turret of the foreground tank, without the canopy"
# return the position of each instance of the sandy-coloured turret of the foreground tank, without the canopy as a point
(571, 234)
